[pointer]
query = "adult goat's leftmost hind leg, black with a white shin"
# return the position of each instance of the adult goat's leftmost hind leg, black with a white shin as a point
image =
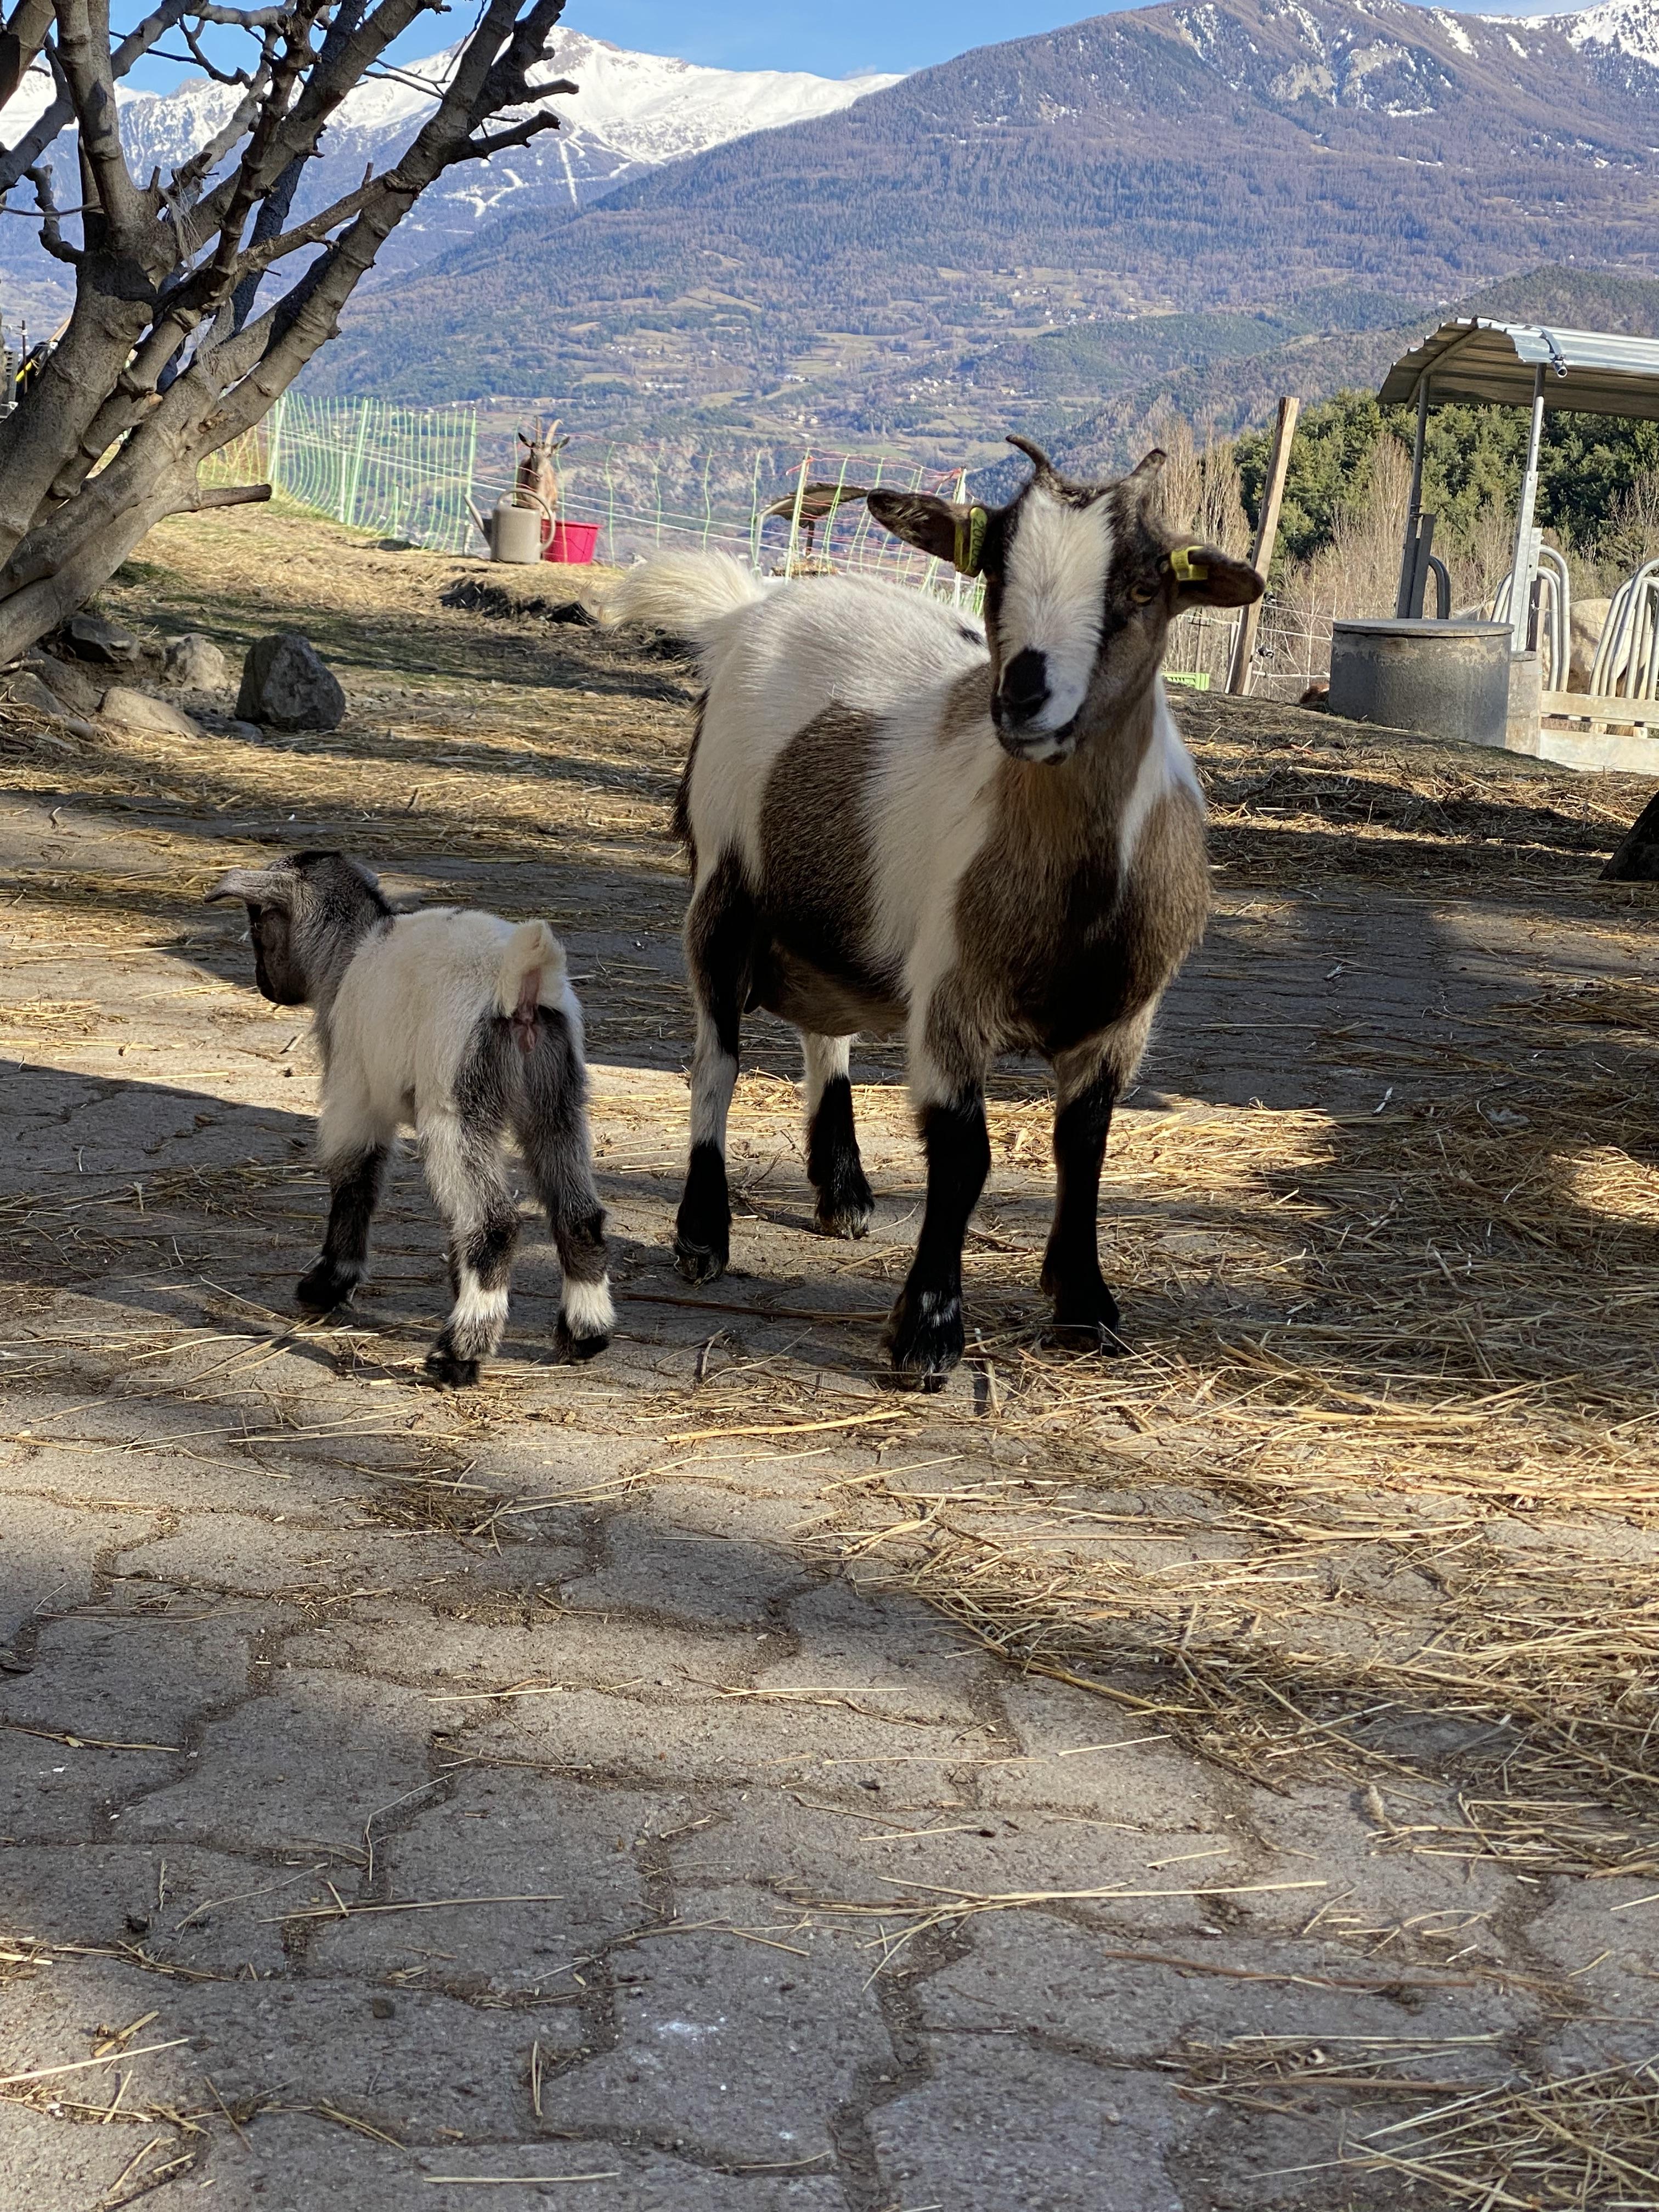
(720, 952)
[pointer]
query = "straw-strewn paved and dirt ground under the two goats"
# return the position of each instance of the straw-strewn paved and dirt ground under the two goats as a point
(1209, 1782)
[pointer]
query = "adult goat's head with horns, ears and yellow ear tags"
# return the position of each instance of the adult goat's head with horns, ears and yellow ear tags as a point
(1081, 589)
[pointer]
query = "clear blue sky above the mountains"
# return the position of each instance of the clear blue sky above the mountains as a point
(738, 34)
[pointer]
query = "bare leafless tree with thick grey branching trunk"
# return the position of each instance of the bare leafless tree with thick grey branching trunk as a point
(165, 359)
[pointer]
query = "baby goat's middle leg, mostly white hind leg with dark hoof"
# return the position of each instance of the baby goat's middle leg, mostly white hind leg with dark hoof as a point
(463, 1162)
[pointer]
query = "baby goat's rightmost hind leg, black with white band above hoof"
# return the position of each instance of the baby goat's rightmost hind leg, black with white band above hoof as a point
(554, 1136)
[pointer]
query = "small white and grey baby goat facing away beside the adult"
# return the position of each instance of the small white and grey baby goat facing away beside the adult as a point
(466, 1027)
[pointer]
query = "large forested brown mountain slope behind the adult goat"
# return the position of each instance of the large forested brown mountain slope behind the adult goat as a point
(1176, 158)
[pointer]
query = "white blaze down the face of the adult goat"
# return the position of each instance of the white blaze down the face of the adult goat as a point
(1054, 596)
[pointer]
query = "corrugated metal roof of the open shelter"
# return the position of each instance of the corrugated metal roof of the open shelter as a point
(1589, 371)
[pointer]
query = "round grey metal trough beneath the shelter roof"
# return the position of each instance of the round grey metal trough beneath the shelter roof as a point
(1441, 678)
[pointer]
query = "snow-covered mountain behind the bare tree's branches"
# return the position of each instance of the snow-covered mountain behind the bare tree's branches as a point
(634, 114)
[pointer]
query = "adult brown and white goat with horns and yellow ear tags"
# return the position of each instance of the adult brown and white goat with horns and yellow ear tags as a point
(988, 839)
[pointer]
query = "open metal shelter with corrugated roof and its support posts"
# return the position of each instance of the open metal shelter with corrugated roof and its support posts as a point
(1516, 366)
